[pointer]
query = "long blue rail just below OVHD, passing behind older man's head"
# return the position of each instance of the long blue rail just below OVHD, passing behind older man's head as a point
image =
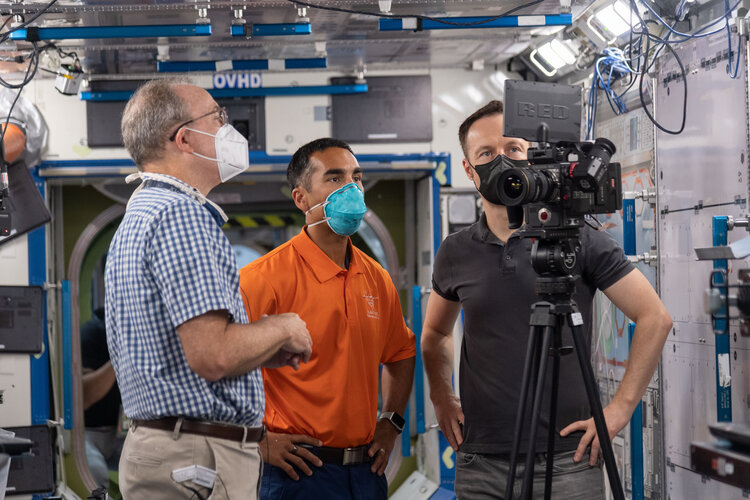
(256, 92)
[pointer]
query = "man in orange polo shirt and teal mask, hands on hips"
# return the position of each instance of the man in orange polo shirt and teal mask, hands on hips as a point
(322, 418)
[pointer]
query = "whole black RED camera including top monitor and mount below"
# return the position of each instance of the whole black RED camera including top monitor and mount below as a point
(562, 183)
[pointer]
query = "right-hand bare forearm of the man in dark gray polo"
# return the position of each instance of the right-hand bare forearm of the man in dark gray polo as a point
(645, 352)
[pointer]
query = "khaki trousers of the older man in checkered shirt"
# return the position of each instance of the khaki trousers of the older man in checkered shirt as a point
(150, 455)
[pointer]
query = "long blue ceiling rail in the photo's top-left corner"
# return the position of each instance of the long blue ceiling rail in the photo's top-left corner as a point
(88, 32)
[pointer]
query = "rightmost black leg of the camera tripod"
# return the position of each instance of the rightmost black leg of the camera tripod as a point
(596, 409)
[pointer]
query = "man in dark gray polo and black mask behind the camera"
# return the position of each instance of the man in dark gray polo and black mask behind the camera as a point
(486, 269)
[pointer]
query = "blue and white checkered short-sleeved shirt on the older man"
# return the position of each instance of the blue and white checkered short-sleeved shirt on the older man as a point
(169, 262)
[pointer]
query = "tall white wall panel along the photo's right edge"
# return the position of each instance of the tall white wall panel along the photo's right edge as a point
(705, 165)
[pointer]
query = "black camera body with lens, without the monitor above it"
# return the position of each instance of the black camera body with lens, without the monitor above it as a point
(562, 184)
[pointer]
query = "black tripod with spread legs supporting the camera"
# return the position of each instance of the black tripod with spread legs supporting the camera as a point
(546, 322)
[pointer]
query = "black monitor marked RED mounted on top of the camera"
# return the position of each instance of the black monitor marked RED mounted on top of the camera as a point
(529, 106)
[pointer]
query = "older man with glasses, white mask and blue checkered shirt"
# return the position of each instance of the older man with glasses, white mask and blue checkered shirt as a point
(185, 358)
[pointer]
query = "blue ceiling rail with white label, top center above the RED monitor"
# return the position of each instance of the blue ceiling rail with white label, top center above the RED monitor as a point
(503, 22)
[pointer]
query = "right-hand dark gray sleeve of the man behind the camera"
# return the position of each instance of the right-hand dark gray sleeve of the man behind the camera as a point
(604, 261)
